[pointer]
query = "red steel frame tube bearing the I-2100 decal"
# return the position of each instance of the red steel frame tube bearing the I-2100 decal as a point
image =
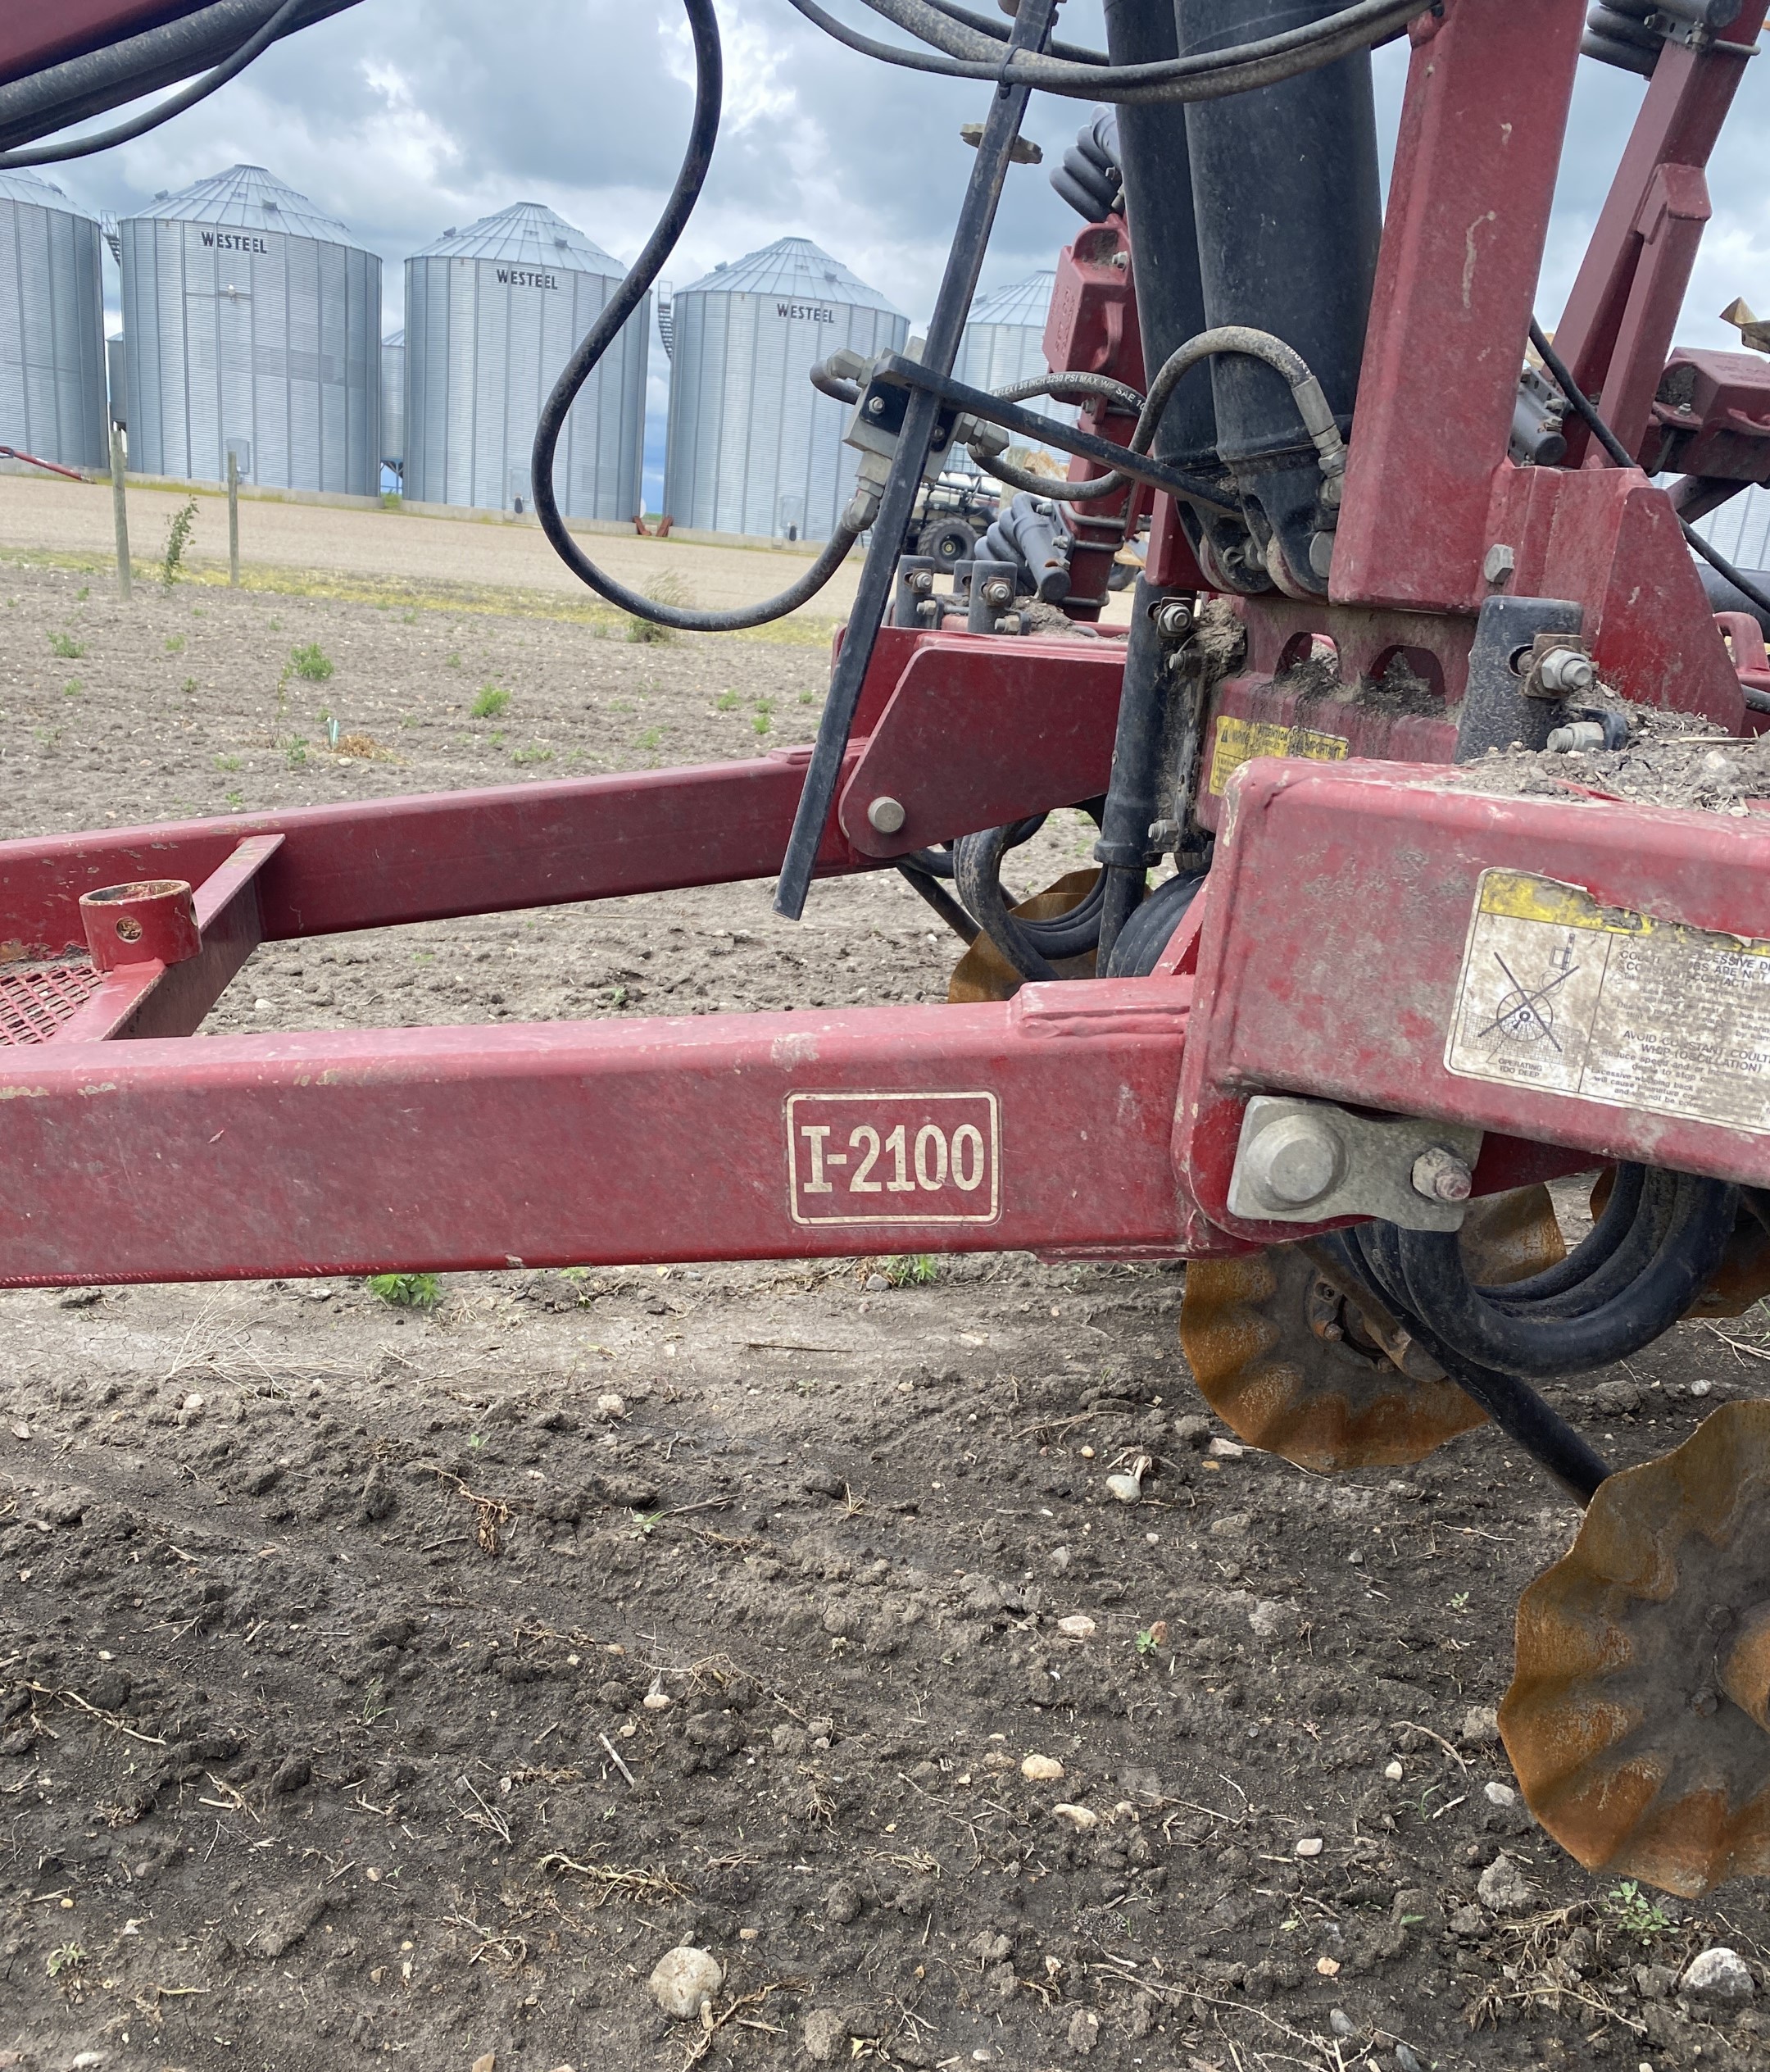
(1041, 1122)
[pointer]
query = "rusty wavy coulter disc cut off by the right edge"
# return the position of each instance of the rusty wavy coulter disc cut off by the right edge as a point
(1636, 1719)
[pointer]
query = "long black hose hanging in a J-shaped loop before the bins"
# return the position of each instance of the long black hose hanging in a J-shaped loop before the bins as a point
(704, 134)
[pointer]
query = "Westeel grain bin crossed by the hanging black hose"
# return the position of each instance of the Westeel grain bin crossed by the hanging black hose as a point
(492, 316)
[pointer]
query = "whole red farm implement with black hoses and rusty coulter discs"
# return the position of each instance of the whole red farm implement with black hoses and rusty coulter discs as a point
(1388, 989)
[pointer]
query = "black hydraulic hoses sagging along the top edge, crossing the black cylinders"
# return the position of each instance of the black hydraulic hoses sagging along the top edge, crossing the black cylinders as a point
(959, 53)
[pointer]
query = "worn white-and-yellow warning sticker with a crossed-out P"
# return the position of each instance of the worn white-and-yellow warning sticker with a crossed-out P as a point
(1574, 998)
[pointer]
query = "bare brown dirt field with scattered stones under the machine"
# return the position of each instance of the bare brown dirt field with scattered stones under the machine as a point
(399, 1686)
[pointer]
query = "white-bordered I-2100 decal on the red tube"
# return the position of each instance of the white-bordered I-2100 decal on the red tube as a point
(894, 1157)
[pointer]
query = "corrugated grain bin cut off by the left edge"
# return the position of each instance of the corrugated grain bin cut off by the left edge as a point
(53, 391)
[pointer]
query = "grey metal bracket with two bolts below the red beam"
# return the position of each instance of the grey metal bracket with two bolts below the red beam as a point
(1311, 1161)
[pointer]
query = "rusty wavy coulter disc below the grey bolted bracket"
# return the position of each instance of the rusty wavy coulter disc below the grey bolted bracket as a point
(1294, 1366)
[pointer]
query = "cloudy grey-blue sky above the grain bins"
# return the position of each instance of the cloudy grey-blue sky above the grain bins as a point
(405, 117)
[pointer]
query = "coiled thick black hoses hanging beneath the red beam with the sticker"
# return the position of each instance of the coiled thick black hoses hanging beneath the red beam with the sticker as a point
(1655, 1246)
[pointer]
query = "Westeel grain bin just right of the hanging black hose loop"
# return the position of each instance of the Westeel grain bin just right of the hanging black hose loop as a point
(753, 447)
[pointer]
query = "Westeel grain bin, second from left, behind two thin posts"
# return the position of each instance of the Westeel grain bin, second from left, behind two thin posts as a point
(252, 322)
